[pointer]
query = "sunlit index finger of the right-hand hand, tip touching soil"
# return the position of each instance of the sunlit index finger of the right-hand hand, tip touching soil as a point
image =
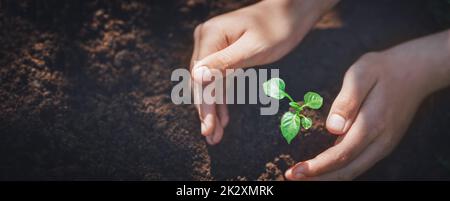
(361, 134)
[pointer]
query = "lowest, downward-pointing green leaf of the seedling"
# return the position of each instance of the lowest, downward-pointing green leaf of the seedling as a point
(290, 126)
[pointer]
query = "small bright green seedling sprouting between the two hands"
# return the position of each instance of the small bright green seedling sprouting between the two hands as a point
(291, 122)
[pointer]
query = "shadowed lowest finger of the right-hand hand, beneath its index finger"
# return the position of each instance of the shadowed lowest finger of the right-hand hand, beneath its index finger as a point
(375, 152)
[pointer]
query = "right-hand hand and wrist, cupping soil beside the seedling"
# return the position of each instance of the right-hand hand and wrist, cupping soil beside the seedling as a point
(380, 94)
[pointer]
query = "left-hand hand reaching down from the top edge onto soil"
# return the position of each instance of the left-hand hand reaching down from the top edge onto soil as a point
(254, 35)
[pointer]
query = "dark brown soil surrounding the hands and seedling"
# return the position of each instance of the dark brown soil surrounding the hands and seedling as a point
(85, 93)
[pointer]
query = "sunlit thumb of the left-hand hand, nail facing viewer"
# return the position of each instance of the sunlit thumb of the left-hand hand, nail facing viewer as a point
(239, 54)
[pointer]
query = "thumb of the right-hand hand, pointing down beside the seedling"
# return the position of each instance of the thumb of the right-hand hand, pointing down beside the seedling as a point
(357, 84)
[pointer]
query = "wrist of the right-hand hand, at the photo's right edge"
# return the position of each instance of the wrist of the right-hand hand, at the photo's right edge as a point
(424, 61)
